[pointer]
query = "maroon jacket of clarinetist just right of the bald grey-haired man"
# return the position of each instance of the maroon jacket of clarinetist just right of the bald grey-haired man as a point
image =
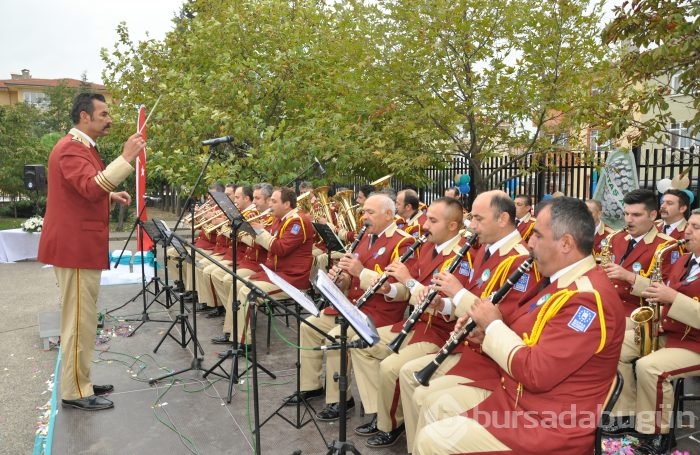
(434, 328)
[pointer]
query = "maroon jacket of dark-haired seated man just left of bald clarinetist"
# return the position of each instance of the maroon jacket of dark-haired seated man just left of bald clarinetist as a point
(289, 245)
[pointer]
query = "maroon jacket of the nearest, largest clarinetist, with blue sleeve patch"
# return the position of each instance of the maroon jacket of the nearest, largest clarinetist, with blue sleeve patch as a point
(552, 391)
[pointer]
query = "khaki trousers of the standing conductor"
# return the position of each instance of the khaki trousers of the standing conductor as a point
(79, 290)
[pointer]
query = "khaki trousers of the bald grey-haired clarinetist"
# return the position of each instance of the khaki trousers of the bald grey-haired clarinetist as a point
(312, 361)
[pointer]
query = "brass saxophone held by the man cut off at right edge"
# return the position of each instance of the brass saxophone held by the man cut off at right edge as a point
(647, 318)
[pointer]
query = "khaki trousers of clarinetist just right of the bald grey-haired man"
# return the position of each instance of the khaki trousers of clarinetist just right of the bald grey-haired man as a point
(377, 374)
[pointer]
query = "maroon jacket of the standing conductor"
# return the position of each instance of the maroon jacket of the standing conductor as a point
(76, 226)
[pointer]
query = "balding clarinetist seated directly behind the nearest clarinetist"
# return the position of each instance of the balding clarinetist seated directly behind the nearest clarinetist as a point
(502, 252)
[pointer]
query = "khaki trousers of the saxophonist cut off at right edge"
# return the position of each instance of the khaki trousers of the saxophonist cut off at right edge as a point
(650, 396)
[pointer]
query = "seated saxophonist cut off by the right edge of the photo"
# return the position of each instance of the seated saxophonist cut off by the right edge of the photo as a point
(647, 395)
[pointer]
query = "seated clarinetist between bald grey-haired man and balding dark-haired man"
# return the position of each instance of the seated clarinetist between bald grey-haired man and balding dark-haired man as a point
(377, 368)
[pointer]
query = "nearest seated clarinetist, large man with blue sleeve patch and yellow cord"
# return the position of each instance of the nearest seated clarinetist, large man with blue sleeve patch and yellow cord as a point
(556, 360)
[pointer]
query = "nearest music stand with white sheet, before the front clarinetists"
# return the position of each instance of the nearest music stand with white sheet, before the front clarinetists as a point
(364, 327)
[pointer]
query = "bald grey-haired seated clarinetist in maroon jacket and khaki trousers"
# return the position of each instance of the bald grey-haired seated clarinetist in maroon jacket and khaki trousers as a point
(382, 243)
